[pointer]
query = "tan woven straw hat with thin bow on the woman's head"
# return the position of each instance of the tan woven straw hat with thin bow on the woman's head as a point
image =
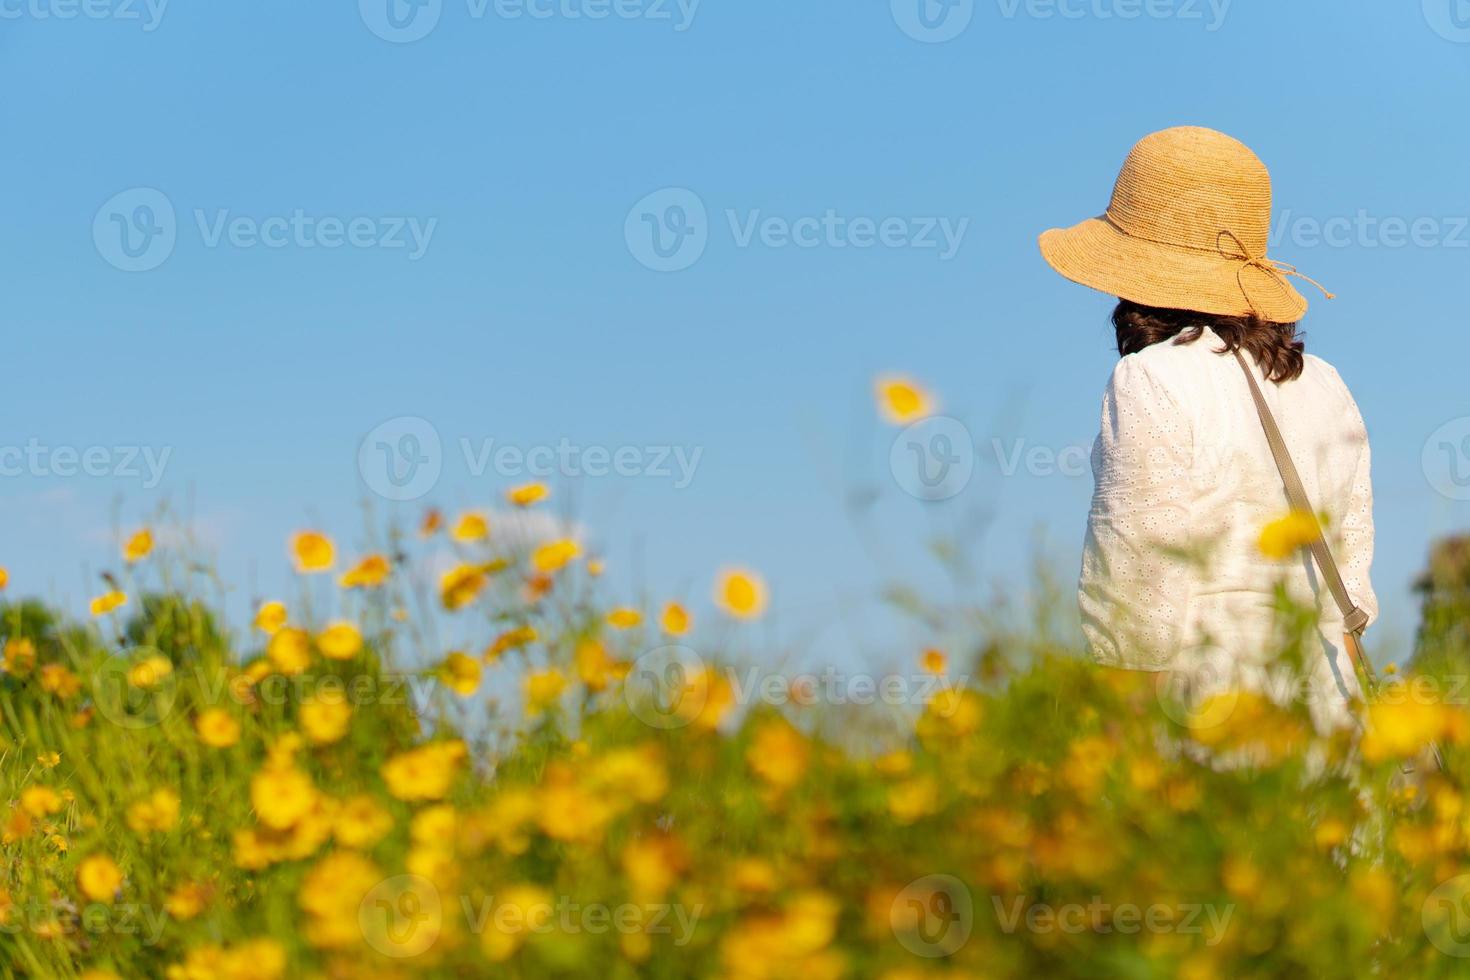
(1187, 230)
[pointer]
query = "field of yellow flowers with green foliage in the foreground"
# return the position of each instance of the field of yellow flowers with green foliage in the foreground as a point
(306, 800)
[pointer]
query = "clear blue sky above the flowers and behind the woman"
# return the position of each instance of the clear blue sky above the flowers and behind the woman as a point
(290, 309)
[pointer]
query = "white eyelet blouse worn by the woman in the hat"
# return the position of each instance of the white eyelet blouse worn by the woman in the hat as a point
(1172, 577)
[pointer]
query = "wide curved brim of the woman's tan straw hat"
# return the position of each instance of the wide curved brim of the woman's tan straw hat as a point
(1097, 255)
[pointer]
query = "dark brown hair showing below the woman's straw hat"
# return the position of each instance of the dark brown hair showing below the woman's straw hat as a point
(1274, 346)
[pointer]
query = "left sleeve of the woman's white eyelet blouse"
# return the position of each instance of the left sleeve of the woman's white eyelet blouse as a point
(1136, 574)
